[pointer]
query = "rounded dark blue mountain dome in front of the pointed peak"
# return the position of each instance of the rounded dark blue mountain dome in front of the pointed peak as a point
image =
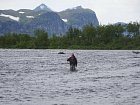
(50, 22)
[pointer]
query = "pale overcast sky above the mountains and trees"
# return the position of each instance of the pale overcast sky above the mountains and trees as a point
(107, 11)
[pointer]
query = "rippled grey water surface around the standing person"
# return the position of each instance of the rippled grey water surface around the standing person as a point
(42, 77)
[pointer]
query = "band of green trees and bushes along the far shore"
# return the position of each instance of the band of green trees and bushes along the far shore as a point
(90, 37)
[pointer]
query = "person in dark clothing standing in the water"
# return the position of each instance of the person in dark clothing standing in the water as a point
(73, 62)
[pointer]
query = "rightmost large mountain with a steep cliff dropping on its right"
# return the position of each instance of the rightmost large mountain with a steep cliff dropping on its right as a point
(78, 17)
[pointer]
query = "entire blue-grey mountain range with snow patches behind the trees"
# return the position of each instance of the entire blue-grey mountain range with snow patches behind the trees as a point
(42, 17)
